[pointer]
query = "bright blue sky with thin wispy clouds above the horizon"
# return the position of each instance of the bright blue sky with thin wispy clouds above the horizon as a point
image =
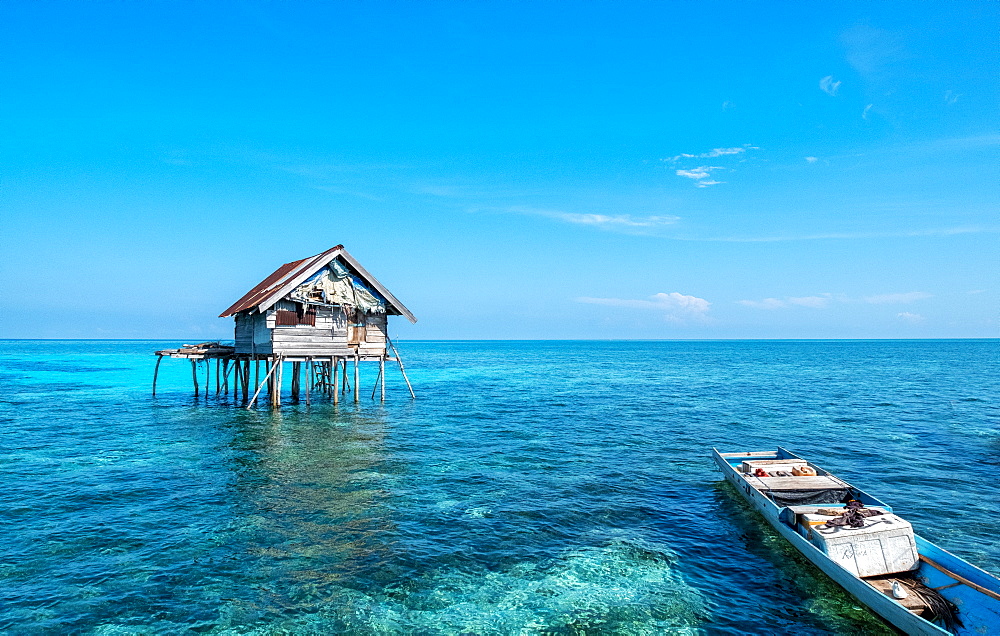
(508, 170)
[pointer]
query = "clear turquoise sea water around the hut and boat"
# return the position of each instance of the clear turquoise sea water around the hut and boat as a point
(531, 488)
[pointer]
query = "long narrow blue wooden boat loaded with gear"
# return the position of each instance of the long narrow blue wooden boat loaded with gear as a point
(943, 593)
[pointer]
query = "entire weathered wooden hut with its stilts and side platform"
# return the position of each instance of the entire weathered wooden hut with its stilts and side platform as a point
(317, 314)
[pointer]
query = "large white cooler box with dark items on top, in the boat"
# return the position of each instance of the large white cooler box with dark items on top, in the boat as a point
(884, 545)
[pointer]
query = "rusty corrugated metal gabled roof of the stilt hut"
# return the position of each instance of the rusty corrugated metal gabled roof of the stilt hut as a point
(290, 275)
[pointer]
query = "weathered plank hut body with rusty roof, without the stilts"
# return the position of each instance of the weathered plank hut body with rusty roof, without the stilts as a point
(323, 306)
